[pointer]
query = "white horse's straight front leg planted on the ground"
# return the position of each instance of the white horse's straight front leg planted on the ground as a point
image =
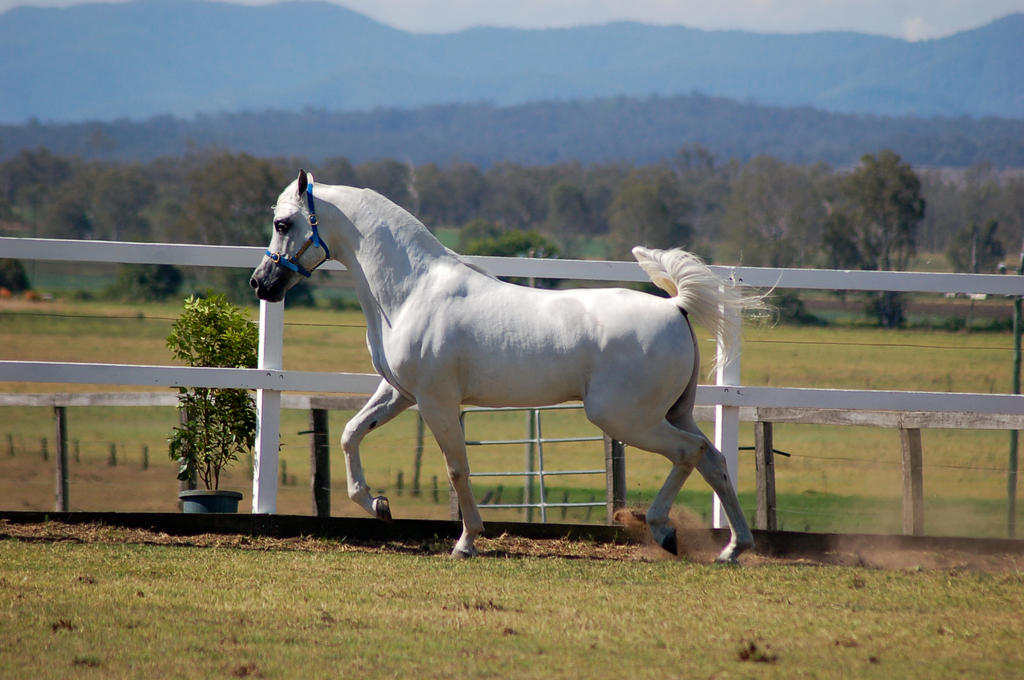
(444, 423)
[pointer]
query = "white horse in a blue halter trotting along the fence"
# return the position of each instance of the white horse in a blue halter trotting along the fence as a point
(443, 333)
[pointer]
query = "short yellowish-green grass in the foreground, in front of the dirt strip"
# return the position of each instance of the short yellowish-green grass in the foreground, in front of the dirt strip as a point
(132, 611)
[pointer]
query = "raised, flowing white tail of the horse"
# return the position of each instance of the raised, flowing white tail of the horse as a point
(716, 304)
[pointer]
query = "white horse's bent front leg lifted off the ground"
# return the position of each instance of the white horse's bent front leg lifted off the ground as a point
(386, 404)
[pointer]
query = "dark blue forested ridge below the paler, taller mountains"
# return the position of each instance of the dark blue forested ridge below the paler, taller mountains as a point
(645, 130)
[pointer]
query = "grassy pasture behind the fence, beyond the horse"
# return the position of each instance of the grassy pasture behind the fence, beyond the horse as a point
(837, 479)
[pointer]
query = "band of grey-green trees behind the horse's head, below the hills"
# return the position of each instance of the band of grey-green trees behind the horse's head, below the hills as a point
(763, 212)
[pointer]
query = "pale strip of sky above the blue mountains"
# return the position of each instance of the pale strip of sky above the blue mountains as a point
(911, 20)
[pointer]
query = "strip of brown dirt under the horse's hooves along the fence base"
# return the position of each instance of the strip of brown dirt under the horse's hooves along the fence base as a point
(696, 543)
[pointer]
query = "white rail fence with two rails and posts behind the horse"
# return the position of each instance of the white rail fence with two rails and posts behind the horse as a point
(271, 379)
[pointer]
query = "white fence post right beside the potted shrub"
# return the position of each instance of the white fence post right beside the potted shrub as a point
(272, 344)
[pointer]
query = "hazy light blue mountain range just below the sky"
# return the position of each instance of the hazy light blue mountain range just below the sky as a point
(154, 58)
